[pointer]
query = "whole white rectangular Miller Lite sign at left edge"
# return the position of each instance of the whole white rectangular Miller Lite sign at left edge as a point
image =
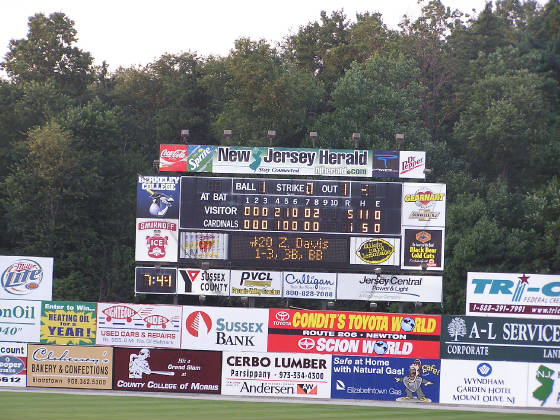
(29, 278)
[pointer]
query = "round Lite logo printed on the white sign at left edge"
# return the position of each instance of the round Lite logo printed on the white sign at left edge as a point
(22, 277)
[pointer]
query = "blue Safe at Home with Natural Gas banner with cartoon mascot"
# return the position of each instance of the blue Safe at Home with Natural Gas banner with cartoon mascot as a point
(396, 379)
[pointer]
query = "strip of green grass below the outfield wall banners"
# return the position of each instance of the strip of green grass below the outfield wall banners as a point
(39, 406)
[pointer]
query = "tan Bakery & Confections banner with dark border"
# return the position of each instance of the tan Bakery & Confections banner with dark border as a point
(69, 366)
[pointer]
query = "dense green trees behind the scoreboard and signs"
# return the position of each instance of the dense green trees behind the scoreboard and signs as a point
(478, 93)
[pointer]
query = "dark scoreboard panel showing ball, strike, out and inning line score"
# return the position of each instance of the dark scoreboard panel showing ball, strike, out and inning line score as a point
(290, 206)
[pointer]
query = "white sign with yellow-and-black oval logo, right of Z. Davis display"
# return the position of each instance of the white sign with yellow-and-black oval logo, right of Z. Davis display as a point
(375, 251)
